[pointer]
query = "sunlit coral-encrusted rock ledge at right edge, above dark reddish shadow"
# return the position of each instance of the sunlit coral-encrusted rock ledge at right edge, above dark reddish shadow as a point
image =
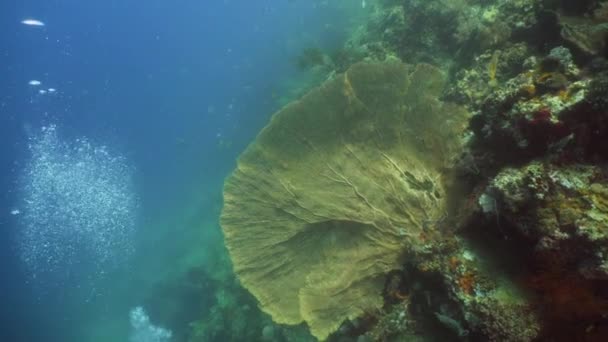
(560, 208)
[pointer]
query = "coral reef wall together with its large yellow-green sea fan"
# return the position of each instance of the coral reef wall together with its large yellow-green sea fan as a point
(354, 215)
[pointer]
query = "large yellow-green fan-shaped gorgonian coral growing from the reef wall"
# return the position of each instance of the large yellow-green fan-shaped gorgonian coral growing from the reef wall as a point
(337, 188)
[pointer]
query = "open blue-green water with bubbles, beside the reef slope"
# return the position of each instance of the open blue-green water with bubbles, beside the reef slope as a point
(149, 104)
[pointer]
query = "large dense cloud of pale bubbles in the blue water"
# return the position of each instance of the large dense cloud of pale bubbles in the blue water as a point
(78, 210)
